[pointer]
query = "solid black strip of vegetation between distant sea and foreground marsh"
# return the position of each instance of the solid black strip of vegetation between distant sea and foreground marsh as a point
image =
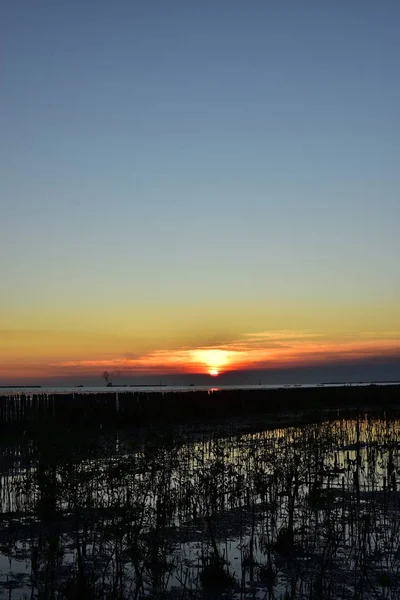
(36, 412)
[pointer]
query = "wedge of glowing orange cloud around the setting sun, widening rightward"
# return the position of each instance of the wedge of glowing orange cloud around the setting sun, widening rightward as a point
(255, 350)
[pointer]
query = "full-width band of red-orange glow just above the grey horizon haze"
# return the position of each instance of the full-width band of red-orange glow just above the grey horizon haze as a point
(259, 350)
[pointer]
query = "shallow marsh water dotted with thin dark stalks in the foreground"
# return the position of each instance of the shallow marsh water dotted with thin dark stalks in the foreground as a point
(311, 509)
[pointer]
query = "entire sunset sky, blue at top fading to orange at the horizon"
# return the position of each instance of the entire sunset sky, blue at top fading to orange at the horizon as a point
(189, 187)
